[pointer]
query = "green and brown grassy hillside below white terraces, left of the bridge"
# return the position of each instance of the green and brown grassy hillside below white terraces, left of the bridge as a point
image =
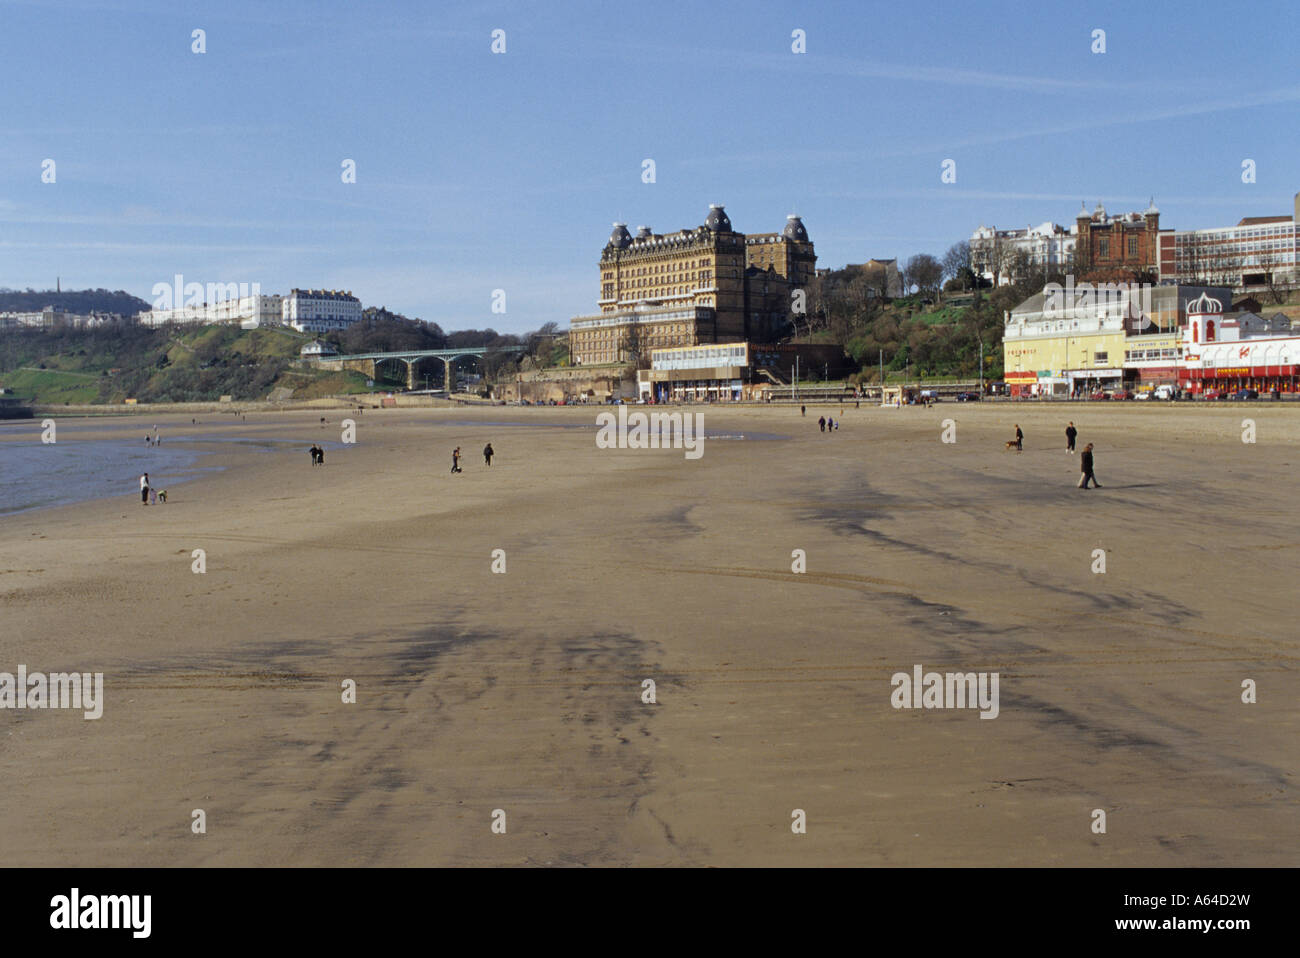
(202, 365)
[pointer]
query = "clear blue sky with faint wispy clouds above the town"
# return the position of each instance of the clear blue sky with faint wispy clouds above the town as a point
(479, 172)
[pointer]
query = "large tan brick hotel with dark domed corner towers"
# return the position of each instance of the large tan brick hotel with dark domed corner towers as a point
(703, 285)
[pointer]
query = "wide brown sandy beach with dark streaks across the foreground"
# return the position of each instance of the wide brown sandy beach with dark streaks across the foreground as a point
(522, 692)
